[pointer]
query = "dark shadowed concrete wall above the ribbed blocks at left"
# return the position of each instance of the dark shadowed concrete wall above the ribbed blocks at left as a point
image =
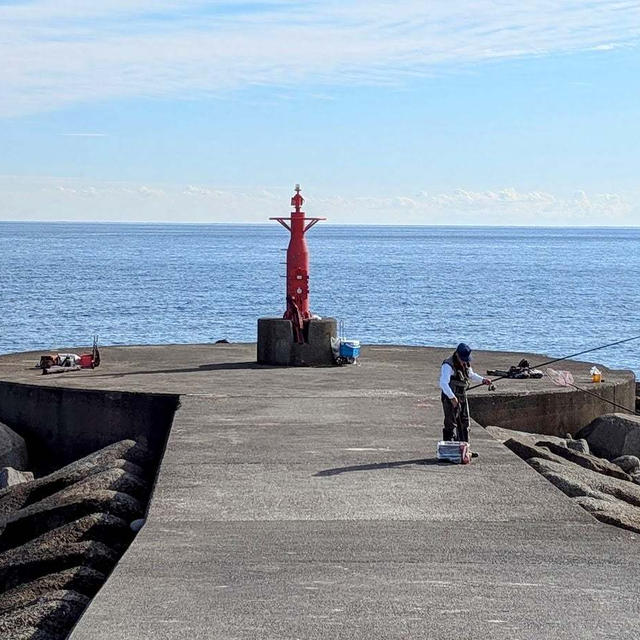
(62, 425)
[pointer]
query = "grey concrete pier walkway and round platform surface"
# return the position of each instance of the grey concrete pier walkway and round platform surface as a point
(307, 503)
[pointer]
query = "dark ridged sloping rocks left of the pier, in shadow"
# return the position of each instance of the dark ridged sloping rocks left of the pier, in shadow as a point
(62, 534)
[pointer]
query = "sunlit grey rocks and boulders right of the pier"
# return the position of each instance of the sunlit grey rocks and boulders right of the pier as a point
(599, 470)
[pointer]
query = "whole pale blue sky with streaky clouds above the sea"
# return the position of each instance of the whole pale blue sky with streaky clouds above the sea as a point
(408, 113)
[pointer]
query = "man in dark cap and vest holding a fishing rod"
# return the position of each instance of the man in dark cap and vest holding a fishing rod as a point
(456, 375)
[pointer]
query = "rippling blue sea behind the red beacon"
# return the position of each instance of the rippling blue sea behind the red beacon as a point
(553, 291)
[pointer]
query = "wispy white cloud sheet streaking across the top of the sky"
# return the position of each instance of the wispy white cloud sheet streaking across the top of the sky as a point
(71, 51)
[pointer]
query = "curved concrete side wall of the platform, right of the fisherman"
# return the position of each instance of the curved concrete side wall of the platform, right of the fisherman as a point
(558, 413)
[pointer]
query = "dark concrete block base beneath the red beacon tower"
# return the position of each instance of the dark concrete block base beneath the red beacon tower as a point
(277, 344)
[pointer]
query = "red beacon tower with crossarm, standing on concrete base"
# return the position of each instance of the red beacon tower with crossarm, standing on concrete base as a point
(297, 264)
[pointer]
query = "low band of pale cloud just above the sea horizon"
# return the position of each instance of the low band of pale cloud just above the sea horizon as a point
(66, 199)
